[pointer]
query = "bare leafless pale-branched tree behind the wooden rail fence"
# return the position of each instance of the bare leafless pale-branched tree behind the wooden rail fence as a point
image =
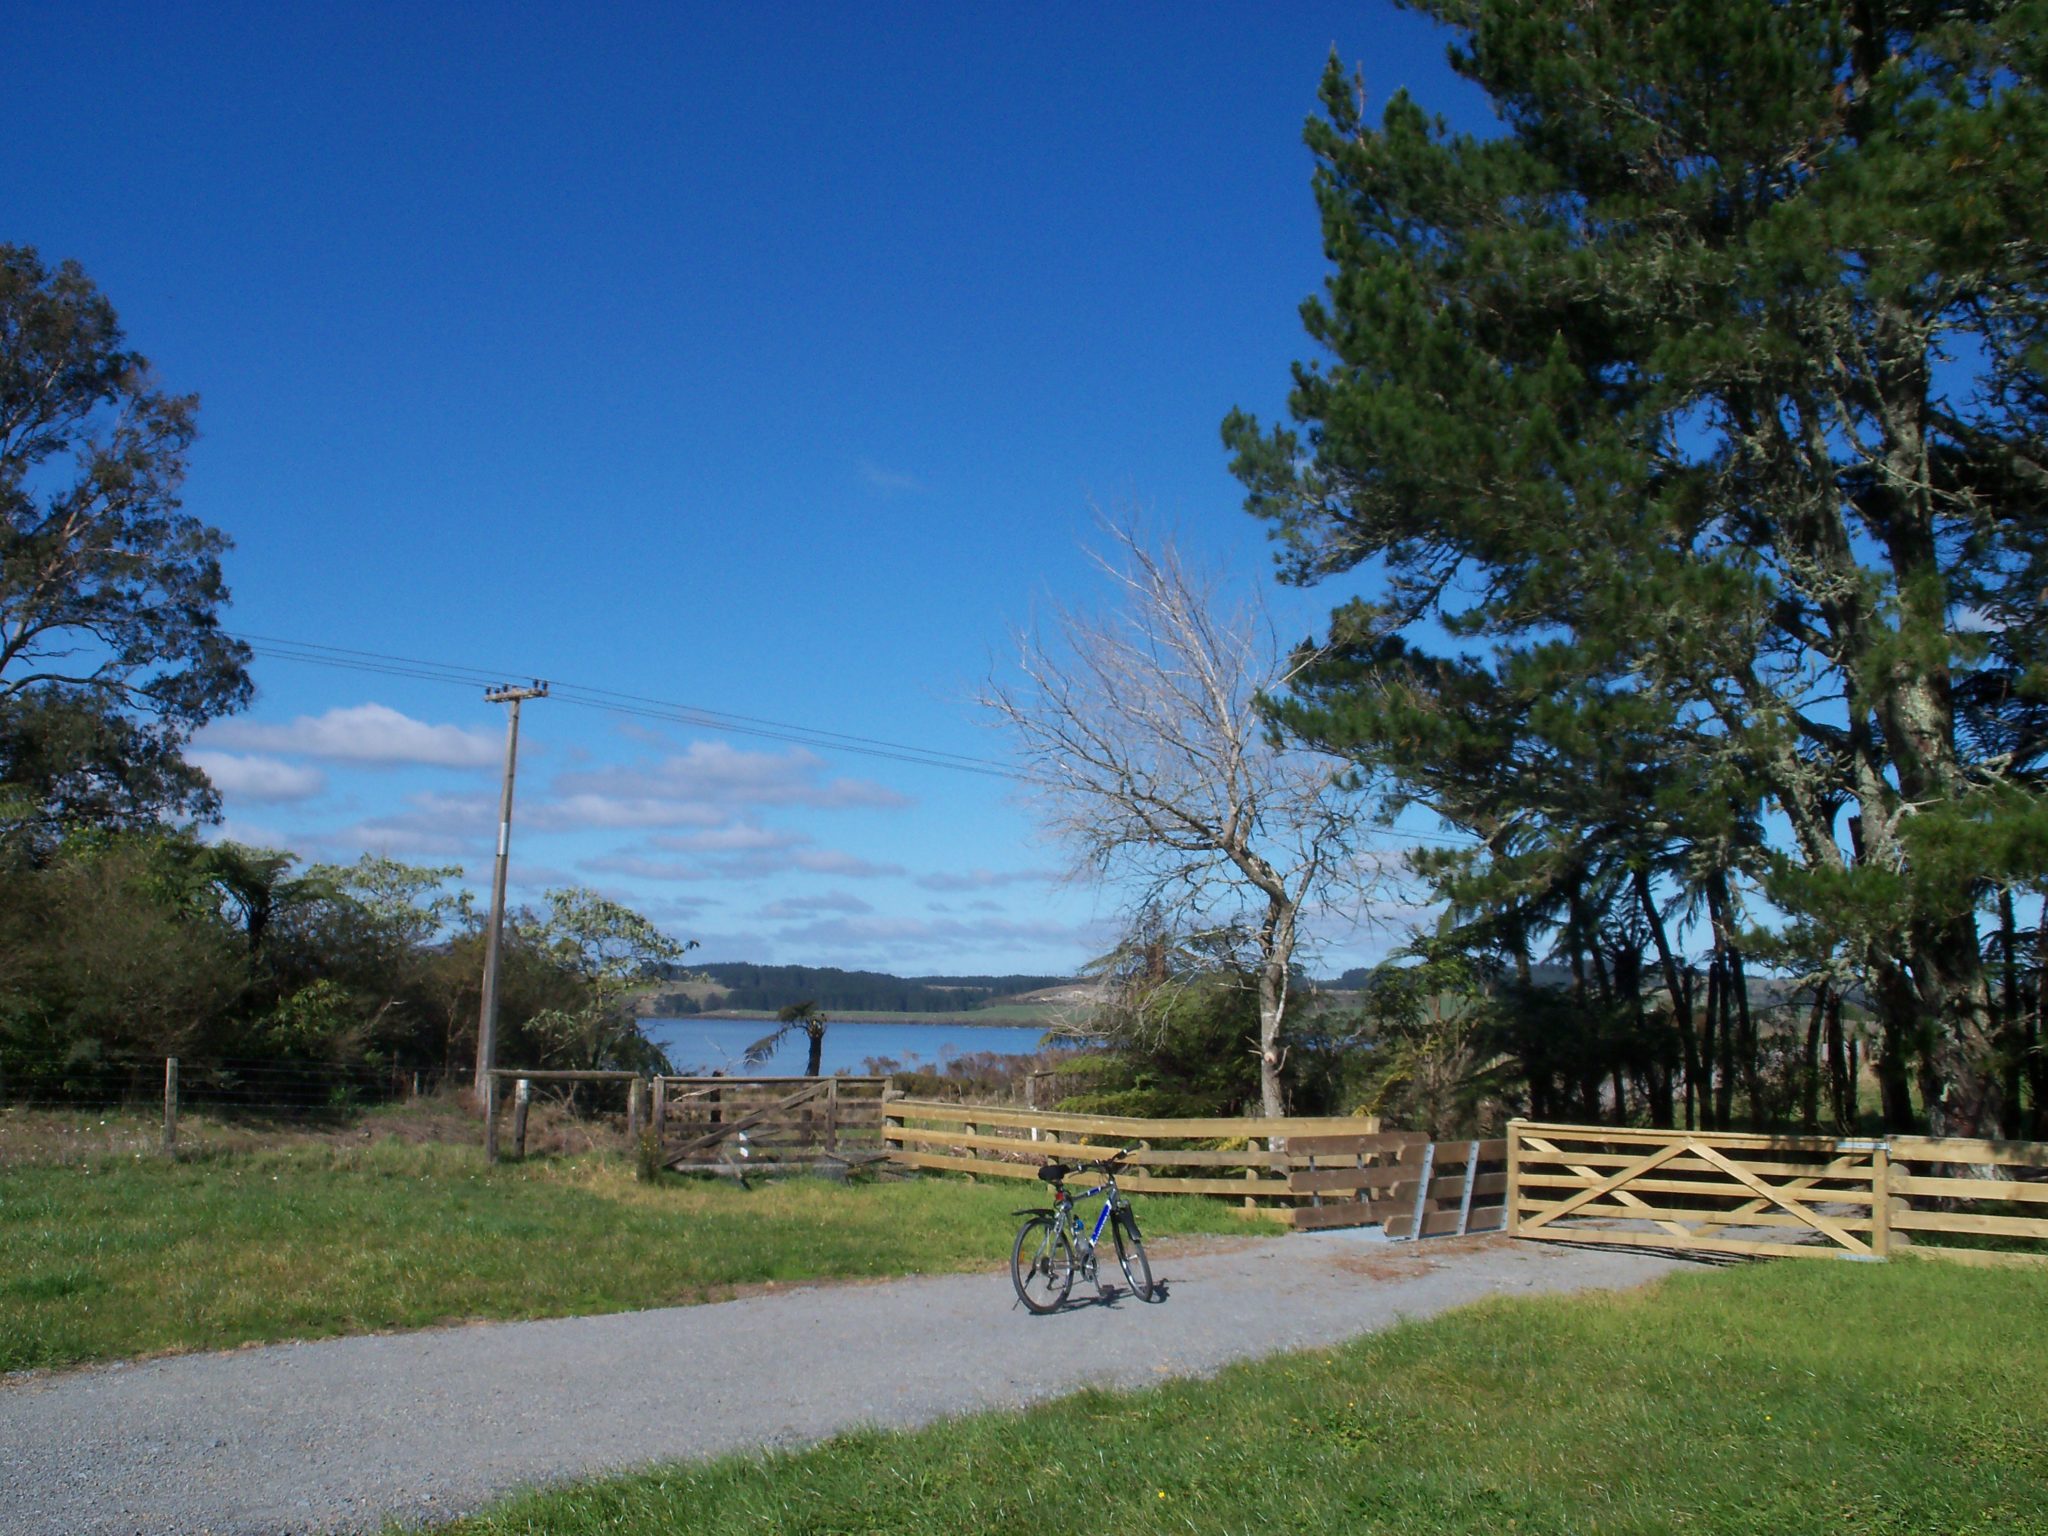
(1154, 763)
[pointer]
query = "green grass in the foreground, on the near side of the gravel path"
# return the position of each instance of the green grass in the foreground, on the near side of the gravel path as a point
(1797, 1398)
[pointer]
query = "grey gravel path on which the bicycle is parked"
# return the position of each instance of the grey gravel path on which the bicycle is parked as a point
(345, 1435)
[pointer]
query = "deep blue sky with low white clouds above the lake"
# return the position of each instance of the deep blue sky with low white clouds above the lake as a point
(755, 359)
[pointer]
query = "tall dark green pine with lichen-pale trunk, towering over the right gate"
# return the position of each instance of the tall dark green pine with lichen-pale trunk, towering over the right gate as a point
(1709, 396)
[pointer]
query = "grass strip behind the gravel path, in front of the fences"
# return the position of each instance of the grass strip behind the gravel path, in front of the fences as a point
(132, 1256)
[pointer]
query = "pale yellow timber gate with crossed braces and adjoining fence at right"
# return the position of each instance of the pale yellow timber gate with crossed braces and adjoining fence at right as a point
(1777, 1197)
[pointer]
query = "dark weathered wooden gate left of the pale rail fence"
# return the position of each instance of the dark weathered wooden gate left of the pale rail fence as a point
(706, 1123)
